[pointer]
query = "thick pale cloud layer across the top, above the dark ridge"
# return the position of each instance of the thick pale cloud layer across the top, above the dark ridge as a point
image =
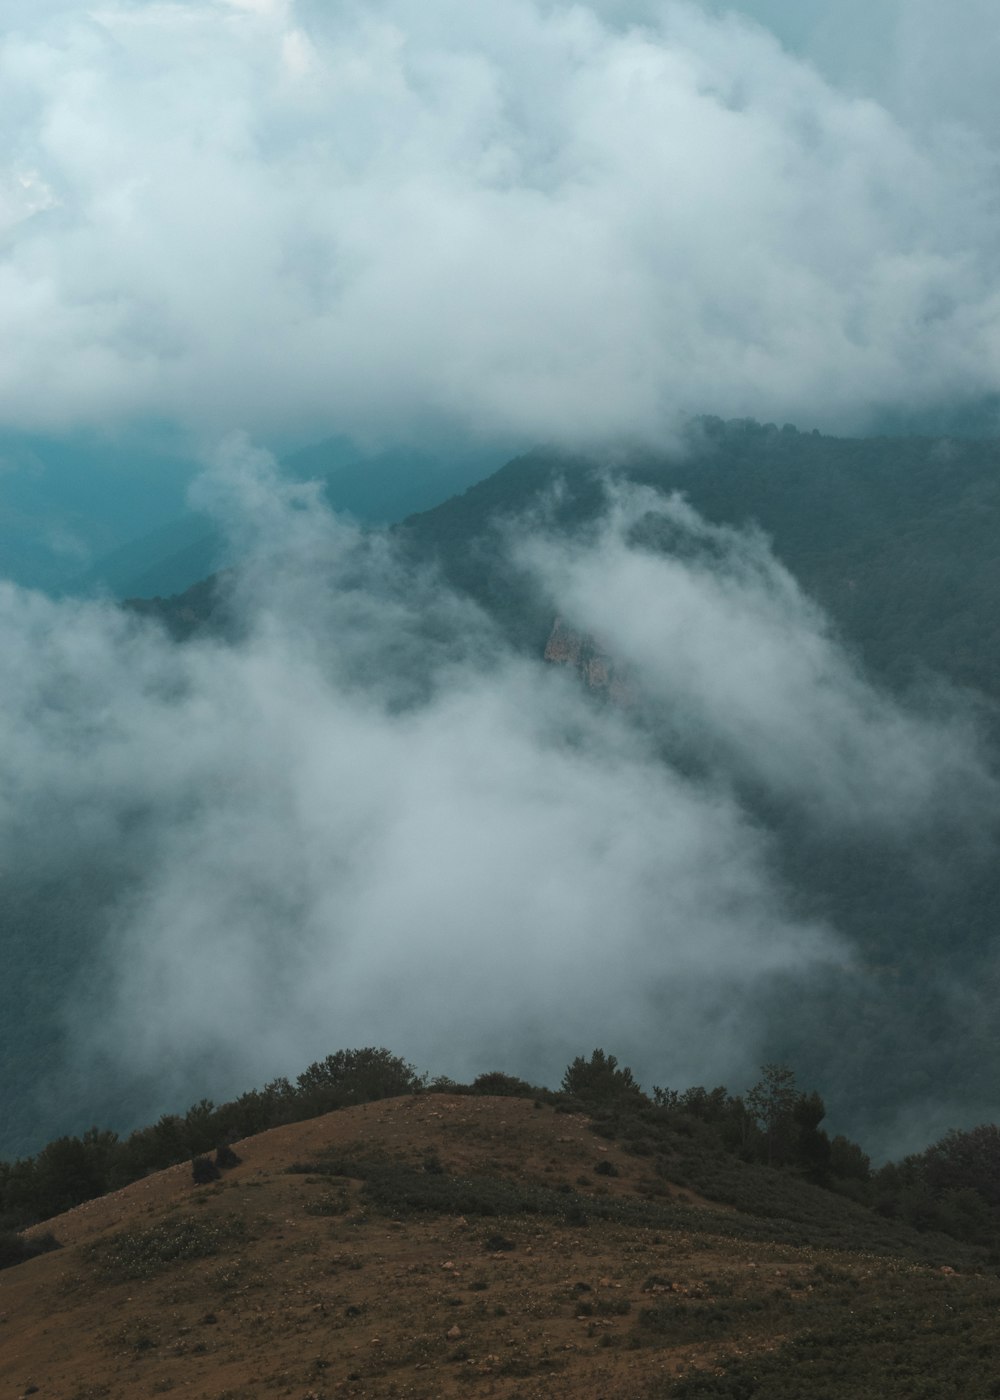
(526, 218)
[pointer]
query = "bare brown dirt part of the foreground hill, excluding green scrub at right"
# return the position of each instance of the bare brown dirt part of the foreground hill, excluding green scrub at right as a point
(306, 1284)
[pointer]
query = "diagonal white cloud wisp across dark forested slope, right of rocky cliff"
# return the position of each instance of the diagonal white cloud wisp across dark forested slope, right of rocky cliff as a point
(739, 666)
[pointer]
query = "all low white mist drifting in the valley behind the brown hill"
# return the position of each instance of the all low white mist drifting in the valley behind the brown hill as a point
(363, 818)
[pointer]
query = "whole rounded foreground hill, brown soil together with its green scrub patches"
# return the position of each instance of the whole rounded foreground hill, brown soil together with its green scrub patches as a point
(443, 1245)
